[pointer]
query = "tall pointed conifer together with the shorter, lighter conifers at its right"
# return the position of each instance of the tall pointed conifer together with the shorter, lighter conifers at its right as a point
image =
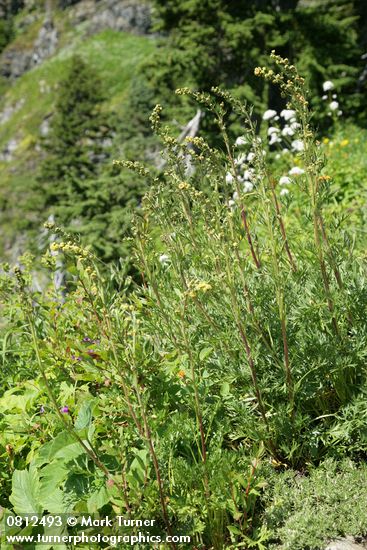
(79, 189)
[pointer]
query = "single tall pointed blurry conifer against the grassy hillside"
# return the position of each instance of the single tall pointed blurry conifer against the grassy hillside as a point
(75, 142)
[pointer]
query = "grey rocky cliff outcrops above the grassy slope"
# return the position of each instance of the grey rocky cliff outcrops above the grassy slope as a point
(93, 15)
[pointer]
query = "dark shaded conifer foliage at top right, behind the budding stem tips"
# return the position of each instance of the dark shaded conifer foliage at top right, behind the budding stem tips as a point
(216, 42)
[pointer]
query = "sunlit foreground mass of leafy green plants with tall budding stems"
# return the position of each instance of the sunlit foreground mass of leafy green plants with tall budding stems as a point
(242, 353)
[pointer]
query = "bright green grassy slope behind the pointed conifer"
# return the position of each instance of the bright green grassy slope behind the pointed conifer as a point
(30, 101)
